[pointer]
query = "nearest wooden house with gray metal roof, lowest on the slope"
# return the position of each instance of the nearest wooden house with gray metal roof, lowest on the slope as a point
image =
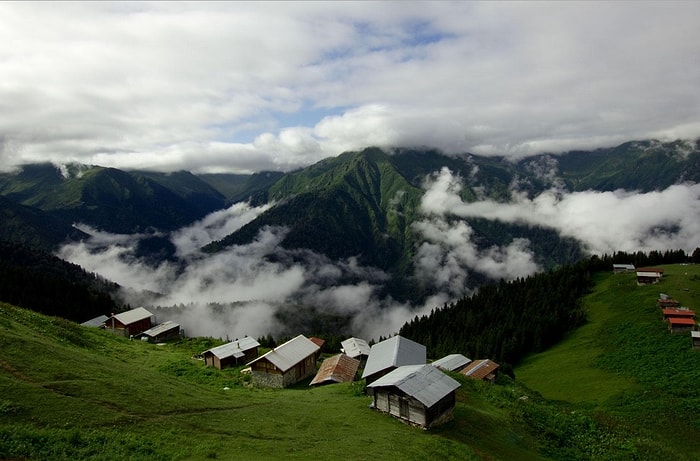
(420, 395)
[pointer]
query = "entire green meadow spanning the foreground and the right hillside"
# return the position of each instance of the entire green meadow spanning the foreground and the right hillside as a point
(621, 387)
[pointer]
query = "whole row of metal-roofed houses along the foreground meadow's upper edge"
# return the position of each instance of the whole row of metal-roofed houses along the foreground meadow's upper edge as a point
(397, 374)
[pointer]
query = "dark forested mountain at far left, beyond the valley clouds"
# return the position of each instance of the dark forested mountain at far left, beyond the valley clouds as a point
(110, 199)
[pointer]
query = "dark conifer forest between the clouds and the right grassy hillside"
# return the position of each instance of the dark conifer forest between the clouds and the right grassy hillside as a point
(505, 321)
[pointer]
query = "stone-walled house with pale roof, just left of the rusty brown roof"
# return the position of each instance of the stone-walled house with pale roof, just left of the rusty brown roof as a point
(286, 364)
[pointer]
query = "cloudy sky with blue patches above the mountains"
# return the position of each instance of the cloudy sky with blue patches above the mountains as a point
(250, 86)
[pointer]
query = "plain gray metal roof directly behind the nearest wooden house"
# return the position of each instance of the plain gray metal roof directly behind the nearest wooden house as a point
(394, 352)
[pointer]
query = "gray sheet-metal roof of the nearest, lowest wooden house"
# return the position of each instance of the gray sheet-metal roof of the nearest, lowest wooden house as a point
(425, 383)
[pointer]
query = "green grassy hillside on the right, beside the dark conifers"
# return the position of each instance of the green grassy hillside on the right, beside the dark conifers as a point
(625, 366)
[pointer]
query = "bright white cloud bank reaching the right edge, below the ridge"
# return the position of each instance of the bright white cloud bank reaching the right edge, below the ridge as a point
(604, 222)
